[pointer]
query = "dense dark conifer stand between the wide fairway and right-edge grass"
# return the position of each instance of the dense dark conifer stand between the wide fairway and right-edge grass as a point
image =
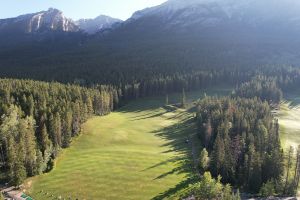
(243, 141)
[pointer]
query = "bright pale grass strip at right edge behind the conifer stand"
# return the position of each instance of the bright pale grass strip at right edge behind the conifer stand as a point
(289, 120)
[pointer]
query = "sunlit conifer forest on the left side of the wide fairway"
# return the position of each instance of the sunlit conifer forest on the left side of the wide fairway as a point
(40, 118)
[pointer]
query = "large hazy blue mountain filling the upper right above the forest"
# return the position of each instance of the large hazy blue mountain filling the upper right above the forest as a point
(212, 33)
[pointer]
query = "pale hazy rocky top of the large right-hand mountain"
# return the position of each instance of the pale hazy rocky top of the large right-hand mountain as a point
(212, 13)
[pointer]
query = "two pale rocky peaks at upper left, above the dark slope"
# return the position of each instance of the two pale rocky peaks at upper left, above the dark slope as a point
(54, 20)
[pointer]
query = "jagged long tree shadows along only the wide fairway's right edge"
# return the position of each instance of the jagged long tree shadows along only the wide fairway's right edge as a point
(177, 138)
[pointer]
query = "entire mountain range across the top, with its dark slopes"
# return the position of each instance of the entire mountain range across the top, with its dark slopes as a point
(178, 34)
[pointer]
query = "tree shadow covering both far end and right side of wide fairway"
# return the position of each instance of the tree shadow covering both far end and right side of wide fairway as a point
(177, 138)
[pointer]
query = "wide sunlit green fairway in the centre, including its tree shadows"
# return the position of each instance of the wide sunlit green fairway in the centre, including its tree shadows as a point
(138, 152)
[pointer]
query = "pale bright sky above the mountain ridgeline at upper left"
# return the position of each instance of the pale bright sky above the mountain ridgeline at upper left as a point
(76, 9)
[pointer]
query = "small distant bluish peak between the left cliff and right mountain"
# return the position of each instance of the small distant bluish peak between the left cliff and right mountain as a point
(101, 22)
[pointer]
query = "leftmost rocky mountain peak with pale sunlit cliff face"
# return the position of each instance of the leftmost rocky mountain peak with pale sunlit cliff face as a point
(50, 20)
